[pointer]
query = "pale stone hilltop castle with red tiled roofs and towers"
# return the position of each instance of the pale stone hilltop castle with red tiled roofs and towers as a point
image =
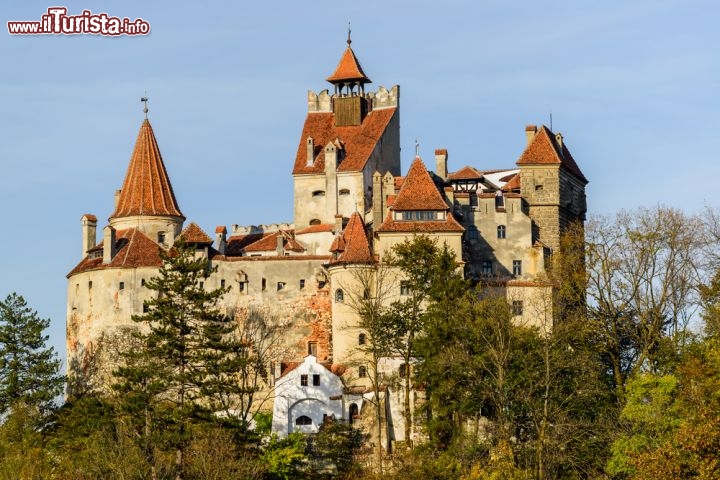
(351, 205)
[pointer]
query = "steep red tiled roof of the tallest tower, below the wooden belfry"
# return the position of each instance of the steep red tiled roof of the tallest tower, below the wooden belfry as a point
(359, 140)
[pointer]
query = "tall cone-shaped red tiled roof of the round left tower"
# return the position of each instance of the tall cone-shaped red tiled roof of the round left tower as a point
(146, 189)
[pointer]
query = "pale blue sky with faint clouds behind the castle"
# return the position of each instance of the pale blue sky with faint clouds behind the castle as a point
(632, 85)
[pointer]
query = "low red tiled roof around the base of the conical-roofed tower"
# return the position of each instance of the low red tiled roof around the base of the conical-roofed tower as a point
(133, 249)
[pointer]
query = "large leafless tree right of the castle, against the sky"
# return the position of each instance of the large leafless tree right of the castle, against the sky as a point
(642, 279)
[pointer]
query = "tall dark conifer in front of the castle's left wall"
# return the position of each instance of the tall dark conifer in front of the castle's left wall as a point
(187, 356)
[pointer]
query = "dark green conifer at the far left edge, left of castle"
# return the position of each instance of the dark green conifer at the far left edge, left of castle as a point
(28, 368)
